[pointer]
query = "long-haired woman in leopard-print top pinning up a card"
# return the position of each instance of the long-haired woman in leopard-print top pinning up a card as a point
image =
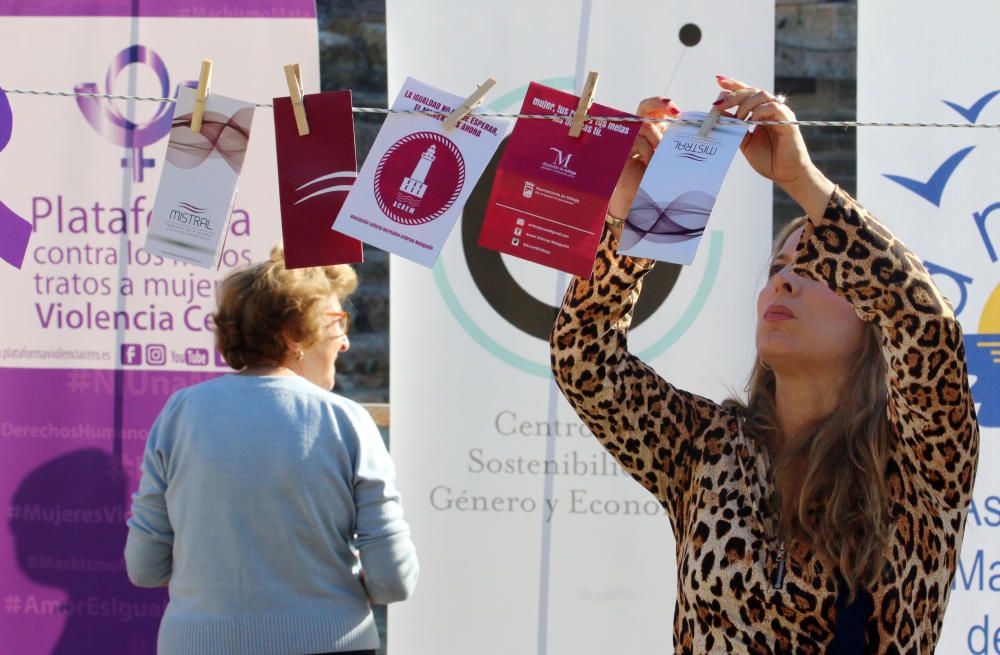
(826, 513)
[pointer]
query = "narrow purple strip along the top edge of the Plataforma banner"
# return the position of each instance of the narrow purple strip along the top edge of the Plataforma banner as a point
(162, 8)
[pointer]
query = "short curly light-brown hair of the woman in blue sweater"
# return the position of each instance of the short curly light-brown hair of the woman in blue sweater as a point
(258, 305)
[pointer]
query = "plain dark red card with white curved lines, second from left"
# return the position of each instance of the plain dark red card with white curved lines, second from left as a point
(315, 173)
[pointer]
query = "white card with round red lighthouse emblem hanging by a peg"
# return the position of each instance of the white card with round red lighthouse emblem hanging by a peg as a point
(418, 175)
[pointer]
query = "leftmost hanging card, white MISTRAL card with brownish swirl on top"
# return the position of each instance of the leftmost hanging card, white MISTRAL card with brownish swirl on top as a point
(198, 186)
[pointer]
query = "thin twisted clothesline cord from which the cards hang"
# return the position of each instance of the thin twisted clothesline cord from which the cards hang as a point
(621, 119)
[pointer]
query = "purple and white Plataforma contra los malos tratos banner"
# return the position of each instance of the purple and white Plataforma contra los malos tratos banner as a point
(88, 295)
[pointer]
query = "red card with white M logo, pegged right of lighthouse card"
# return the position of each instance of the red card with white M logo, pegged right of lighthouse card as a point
(551, 191)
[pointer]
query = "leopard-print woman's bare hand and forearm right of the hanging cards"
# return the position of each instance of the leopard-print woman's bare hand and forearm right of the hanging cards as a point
(777, 152)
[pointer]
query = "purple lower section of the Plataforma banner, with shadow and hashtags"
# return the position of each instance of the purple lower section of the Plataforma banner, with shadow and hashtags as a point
(73, 442)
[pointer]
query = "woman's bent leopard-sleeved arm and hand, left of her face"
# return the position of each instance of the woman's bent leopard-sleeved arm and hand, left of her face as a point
(653, 429)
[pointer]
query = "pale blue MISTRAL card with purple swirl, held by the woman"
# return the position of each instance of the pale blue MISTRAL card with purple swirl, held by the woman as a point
(671, 210)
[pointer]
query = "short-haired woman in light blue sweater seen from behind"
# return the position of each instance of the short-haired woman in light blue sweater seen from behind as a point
(267, 503)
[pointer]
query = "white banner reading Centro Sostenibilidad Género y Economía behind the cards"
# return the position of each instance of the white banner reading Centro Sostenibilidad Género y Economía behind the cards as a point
(531, 539)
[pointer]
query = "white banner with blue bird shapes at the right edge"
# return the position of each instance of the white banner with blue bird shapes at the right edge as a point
(936, 189)
